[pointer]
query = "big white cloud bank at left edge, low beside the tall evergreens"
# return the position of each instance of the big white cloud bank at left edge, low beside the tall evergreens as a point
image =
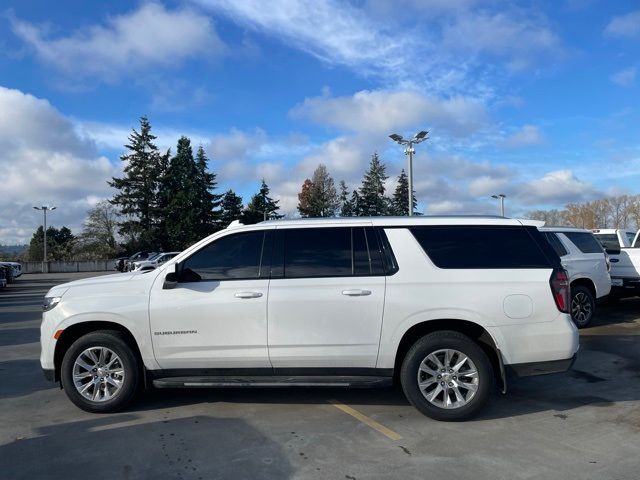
(44, 161)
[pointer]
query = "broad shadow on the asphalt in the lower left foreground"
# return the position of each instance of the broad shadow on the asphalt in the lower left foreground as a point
(126, 447)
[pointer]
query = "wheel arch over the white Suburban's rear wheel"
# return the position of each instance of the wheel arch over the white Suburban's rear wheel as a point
(473, 330)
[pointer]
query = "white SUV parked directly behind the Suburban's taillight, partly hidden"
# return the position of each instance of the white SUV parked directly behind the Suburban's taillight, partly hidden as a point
(587, 264)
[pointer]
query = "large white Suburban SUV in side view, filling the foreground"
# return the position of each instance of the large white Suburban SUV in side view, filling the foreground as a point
(445, 305)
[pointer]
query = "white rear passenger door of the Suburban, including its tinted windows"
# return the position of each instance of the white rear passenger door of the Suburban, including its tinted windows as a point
(326, 298)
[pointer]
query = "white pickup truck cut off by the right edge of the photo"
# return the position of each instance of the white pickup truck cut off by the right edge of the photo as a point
(622, 247)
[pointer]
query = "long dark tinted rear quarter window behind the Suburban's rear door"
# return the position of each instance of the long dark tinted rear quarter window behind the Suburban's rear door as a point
(482, 247)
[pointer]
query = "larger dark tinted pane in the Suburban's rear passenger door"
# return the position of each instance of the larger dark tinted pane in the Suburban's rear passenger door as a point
(317, 252)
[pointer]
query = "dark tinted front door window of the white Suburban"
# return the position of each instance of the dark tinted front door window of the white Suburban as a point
(232, 257)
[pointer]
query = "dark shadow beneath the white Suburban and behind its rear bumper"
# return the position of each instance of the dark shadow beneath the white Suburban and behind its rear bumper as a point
(605, 361)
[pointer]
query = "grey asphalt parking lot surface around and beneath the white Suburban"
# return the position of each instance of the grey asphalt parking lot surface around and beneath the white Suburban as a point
(583, 424)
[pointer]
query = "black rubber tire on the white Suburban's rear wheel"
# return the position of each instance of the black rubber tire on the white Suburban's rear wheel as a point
(434, 342)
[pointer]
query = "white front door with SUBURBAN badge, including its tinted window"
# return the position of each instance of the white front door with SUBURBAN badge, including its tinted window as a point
(216, 316)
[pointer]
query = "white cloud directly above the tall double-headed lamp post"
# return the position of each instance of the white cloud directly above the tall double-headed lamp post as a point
(381, 112)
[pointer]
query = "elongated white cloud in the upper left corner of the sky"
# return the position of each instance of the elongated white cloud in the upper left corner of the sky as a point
(150, 36)
